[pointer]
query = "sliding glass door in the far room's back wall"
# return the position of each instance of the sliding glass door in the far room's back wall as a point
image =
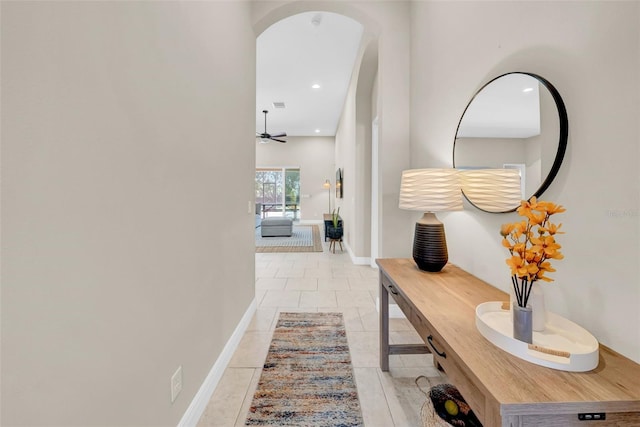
(278, 192)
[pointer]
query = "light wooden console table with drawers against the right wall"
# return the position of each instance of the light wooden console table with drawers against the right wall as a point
(502, 389)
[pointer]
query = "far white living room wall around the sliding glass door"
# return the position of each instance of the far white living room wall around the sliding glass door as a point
(314, 155)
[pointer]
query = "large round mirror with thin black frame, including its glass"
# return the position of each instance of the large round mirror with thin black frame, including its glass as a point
(516, 121)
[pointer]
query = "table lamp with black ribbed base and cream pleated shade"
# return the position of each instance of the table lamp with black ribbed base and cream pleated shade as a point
(429, 191)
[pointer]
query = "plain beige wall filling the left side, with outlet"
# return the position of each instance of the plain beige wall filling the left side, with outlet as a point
(127, 248)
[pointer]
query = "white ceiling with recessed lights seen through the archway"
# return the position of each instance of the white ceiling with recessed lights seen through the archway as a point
(291, 56)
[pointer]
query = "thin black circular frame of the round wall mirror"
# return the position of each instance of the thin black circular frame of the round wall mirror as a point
(563, 137)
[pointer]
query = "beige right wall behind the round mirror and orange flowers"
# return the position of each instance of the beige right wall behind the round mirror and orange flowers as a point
(590, 51)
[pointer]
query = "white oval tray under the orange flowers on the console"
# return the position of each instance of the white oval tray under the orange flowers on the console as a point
(562, 345)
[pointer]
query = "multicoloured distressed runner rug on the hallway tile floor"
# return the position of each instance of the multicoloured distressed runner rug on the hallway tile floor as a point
(307, 379)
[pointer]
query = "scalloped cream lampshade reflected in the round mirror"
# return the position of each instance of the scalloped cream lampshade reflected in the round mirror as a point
(492, 190)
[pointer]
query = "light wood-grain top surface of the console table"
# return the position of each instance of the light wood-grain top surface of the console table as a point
(448, 300)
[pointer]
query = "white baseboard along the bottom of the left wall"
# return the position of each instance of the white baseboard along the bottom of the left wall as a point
(201, 399)
